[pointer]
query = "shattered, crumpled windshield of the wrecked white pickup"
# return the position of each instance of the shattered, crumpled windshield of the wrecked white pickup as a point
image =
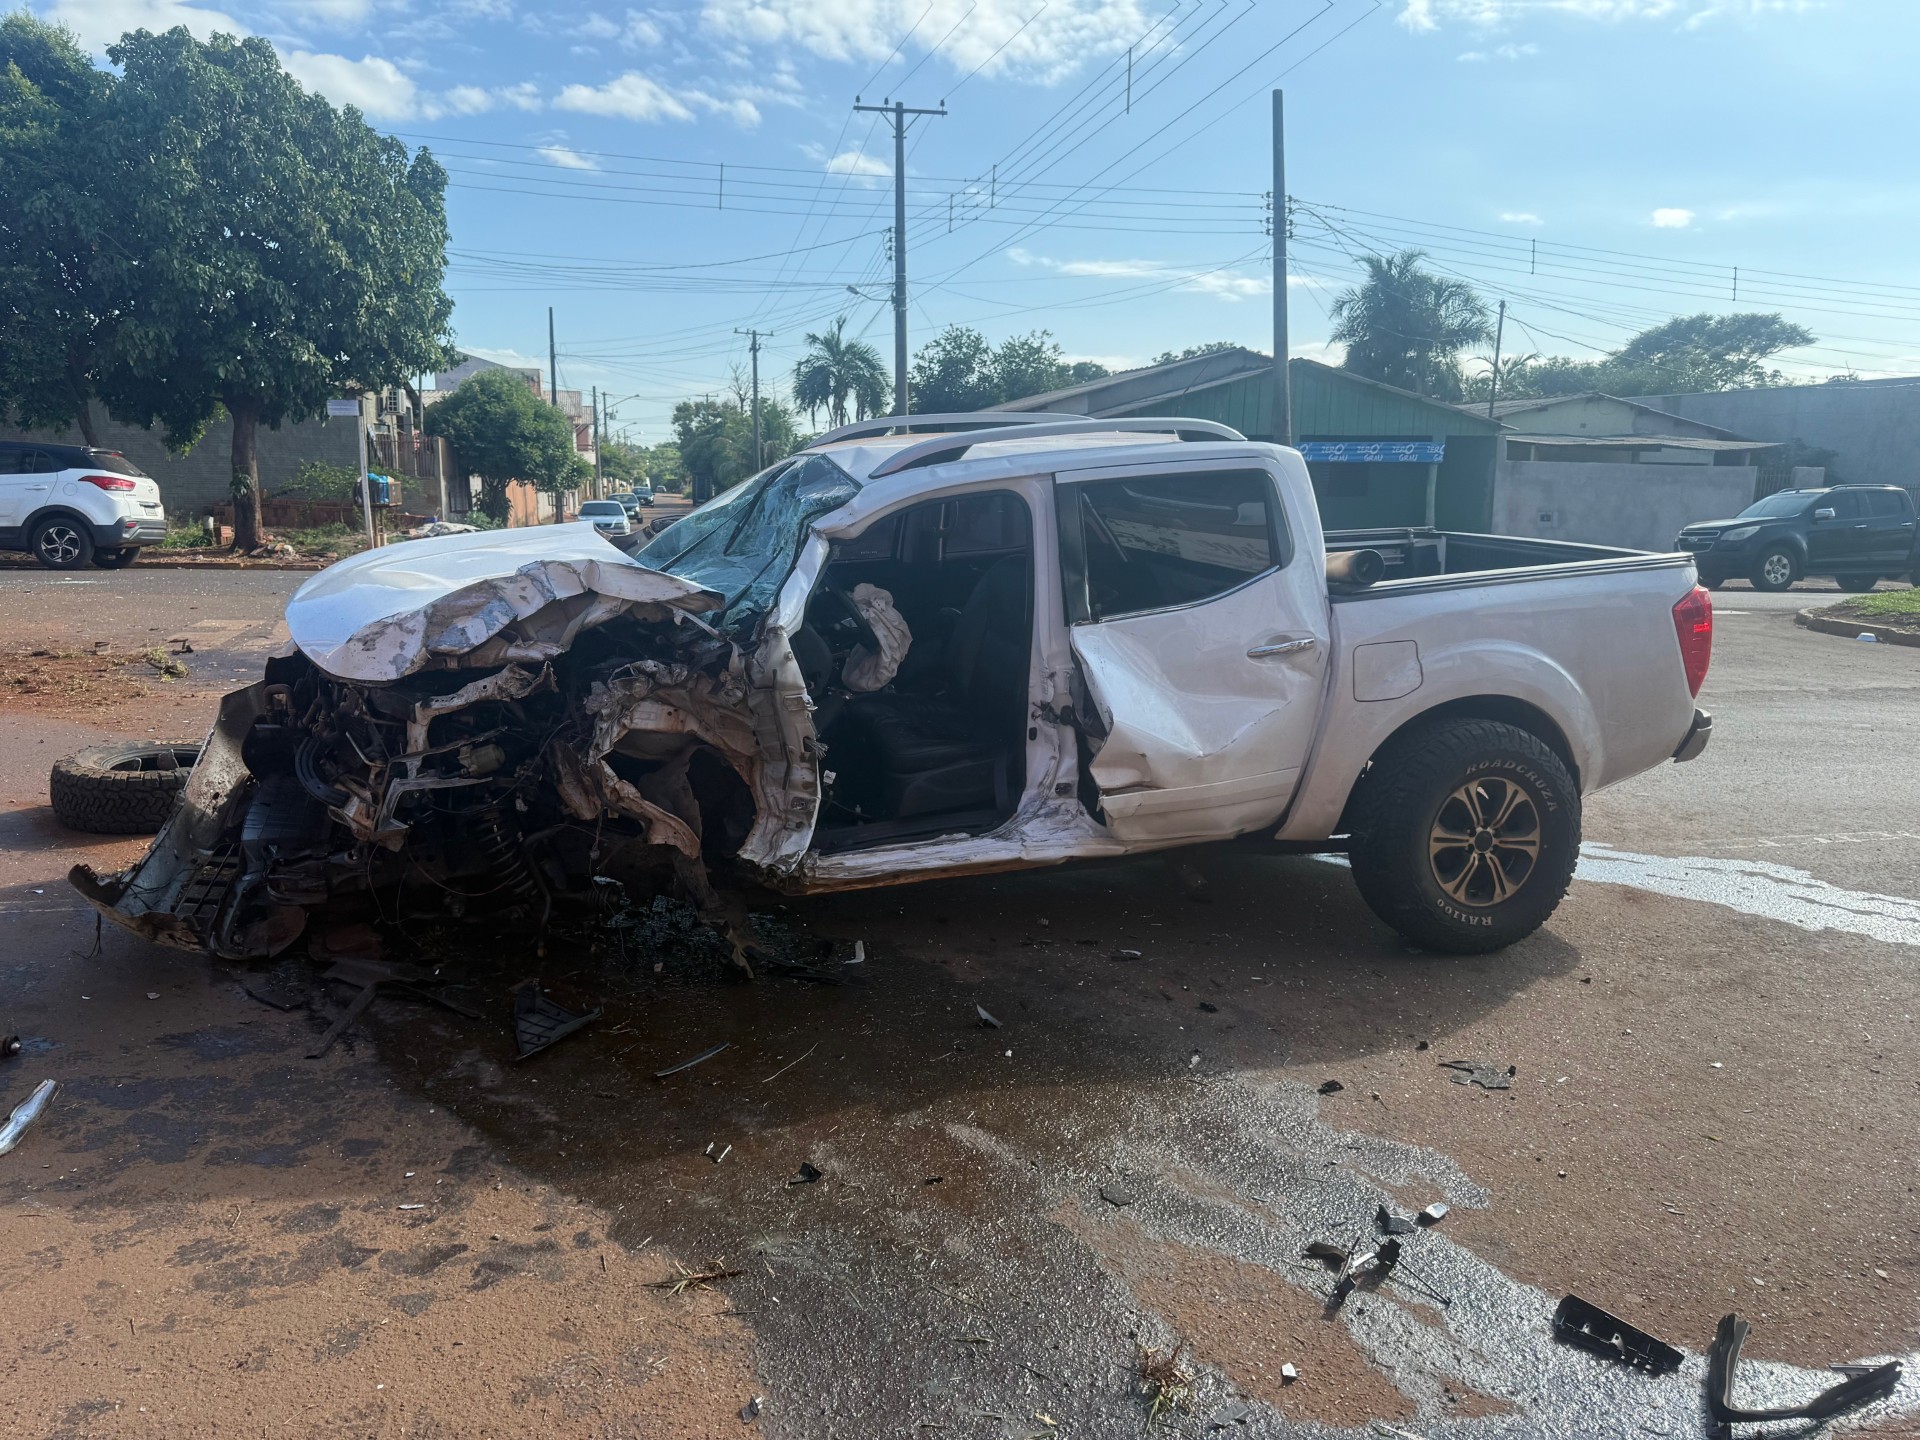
(746, 540)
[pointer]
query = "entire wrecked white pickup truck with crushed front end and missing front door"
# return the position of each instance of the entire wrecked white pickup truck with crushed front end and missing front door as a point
(940, 648)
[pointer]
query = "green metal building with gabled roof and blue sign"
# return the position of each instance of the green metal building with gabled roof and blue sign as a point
(1378, 456)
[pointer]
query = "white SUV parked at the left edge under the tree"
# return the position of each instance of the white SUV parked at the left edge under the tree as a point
(76, 504)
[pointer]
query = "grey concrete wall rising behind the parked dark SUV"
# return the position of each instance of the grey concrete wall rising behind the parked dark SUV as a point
(1873, 427)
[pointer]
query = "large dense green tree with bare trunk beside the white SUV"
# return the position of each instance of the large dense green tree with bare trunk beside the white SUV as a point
(287, 251)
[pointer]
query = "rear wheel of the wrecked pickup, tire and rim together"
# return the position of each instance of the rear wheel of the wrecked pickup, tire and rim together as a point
(1416, 794)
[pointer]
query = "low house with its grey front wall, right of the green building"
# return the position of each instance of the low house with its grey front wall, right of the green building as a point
(1610, 471)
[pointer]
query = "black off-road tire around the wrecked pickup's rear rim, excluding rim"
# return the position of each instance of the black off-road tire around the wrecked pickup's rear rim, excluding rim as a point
(1397, 788)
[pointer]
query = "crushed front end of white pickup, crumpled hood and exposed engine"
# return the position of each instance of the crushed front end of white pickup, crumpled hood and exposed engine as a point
(469, 723)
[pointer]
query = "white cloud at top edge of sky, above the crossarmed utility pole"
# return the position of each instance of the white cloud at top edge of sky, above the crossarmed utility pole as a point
(1061, 37)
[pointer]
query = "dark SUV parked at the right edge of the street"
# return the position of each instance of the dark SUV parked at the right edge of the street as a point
(1856, 535)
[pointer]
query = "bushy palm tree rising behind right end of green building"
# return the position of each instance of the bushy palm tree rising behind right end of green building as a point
(1406, 327)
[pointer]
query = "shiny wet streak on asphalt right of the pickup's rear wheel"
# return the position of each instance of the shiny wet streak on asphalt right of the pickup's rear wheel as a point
(1758, 888)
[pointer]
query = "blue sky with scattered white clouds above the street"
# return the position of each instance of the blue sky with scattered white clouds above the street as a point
(669, 176)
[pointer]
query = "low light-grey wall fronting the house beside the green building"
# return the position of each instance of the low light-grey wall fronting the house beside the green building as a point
(1633, 506)
